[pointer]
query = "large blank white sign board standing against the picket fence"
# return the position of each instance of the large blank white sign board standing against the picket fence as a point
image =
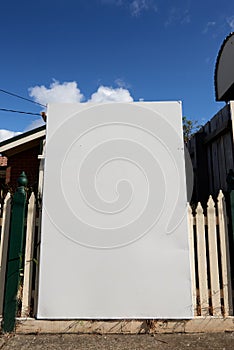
(114, 228)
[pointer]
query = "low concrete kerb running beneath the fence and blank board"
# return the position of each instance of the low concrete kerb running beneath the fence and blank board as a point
(196, 325)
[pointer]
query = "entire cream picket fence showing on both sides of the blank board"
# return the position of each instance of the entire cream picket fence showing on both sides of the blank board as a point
(209, 250)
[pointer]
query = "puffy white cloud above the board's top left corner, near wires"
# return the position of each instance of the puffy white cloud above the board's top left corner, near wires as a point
(67, 92)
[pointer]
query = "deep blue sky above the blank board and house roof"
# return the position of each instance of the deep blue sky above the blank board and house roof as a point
(138, 49)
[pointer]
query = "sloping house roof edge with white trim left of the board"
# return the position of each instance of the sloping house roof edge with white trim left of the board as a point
(23, 141)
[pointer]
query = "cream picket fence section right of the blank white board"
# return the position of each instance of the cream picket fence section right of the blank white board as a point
(210, 259)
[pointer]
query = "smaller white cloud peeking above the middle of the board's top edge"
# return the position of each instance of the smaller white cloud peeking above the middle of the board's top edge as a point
(109, 94)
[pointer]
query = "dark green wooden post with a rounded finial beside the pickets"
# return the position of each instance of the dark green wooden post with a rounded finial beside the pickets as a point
(15, 258)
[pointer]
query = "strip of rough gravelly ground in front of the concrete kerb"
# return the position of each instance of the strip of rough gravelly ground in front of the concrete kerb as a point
(221, 341)
